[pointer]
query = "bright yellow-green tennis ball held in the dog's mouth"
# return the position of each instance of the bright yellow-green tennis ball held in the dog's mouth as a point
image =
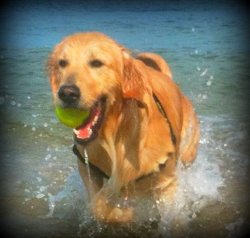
(71, 117)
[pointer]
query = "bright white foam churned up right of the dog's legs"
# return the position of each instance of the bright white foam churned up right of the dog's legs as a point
(197, 187)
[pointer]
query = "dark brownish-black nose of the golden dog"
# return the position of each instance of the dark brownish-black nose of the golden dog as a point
(69, 93)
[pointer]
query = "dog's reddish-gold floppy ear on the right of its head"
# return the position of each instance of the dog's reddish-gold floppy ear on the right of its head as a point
(134, 81)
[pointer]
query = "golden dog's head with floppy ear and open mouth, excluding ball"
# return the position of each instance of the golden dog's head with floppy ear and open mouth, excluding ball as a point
(90, 71)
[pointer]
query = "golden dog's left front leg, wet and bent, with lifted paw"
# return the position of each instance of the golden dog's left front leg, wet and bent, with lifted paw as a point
(103, 196)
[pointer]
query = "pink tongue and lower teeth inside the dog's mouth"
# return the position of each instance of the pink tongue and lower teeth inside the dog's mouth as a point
(85, 131)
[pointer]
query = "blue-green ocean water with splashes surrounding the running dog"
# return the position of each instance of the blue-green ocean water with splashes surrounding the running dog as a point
(207, 48)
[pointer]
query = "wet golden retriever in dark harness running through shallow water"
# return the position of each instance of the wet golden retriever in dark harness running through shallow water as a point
(140, 123)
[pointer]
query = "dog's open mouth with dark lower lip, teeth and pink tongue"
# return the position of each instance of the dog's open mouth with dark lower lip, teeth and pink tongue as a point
(88, 131)
